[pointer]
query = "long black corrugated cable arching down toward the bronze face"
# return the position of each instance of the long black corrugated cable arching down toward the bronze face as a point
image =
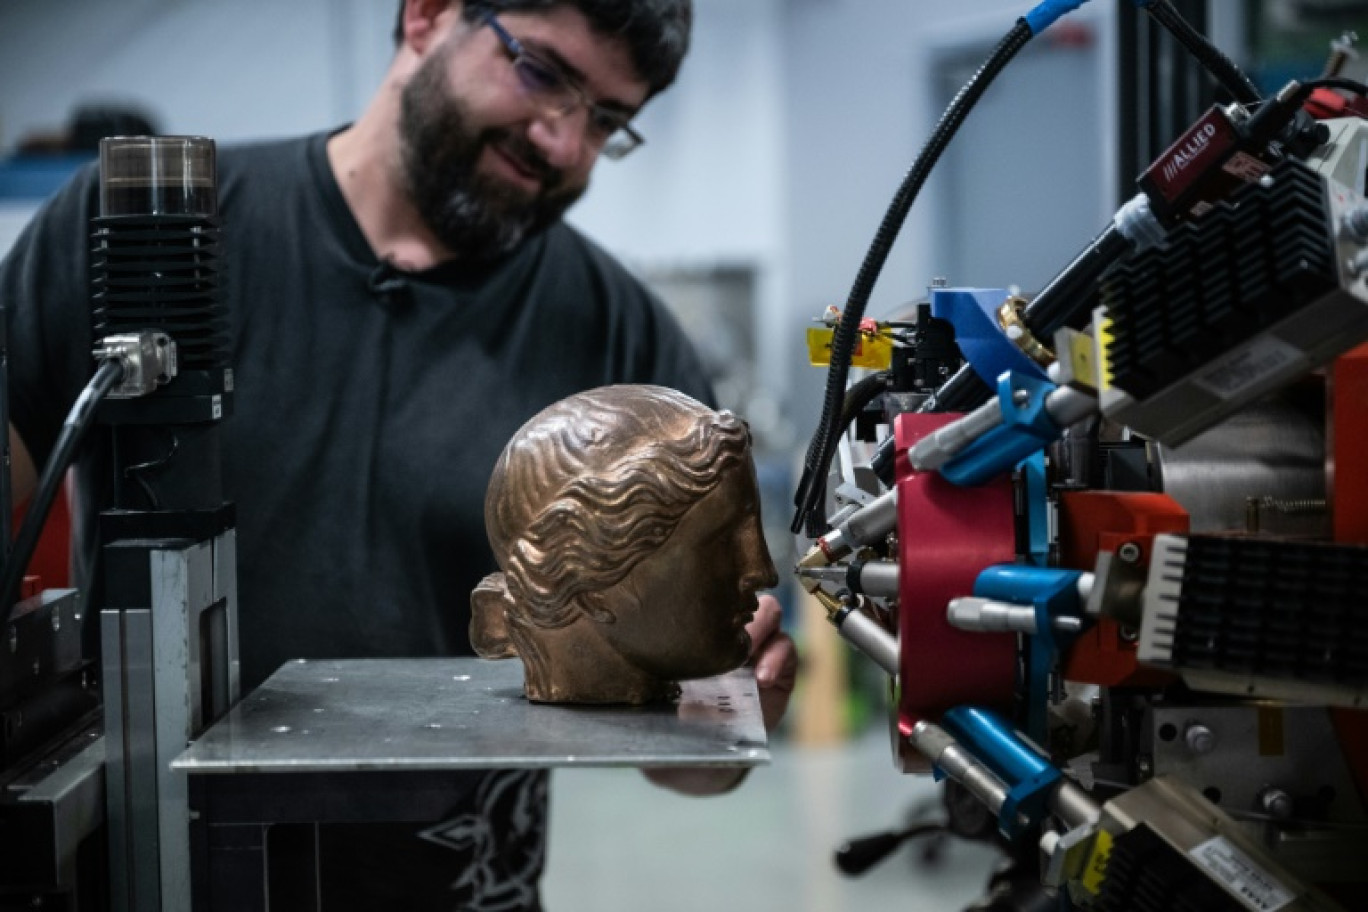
(823, 448)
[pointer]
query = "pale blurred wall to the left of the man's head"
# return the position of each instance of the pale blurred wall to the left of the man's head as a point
(236, 70)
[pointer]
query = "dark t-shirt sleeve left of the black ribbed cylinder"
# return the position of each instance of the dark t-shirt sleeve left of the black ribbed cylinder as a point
(46, 295)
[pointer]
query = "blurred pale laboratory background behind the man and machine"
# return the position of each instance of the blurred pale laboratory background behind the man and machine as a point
(767, 172)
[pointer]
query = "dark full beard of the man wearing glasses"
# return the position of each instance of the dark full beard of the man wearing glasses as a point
(474, 215)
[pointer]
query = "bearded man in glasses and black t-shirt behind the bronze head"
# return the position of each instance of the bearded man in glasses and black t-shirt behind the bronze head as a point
(404, 296)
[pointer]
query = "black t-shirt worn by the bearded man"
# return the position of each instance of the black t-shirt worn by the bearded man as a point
(371, 404)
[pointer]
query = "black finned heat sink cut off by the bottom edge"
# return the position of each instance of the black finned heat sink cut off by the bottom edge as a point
(1146, 874)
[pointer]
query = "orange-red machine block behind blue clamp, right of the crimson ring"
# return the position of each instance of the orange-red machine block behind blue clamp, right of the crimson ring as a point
(1095, 522)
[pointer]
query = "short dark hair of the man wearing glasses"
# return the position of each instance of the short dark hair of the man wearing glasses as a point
(656, 31)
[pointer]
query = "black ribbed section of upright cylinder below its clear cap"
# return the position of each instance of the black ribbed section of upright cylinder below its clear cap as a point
(162, 273)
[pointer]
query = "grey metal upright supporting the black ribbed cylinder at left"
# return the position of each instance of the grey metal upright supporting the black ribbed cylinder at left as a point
(170, 669)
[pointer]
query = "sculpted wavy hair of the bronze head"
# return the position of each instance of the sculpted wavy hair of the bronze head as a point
(594, 485)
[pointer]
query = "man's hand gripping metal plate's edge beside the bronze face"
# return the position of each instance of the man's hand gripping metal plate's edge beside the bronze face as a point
(775, 660)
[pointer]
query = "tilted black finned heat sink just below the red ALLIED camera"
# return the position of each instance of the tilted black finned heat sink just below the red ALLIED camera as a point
(1218, 282)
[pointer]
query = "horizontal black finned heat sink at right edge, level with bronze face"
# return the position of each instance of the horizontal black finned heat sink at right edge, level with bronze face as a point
(1274, 609)
